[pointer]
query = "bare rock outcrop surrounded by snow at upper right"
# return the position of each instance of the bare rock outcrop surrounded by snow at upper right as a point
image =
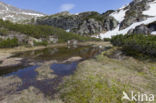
(134, 13)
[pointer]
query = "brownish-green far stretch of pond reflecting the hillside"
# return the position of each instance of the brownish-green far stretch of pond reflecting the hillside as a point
(60, 54)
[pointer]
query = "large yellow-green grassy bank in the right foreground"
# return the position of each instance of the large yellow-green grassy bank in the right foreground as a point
(102, 80)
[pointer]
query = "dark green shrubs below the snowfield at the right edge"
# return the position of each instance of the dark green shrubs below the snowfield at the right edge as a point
(136, 44)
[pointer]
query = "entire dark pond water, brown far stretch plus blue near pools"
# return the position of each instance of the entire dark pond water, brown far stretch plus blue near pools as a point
(28, 74)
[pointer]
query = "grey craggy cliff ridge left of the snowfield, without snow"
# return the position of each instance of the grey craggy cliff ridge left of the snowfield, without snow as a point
(86, 23)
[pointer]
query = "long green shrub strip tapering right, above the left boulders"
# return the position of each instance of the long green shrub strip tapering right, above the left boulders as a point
(41, 31)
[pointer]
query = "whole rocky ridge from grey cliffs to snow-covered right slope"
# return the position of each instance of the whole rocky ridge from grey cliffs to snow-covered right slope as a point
(137, 17)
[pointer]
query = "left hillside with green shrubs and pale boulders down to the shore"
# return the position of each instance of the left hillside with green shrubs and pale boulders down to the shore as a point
(27, 34)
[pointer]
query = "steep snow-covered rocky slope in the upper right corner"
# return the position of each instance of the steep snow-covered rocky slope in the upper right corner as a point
(141, 15)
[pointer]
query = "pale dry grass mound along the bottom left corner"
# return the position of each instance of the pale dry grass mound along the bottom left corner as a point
(30, 95)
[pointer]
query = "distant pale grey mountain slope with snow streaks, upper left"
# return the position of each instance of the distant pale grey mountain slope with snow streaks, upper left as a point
(8, 12)
